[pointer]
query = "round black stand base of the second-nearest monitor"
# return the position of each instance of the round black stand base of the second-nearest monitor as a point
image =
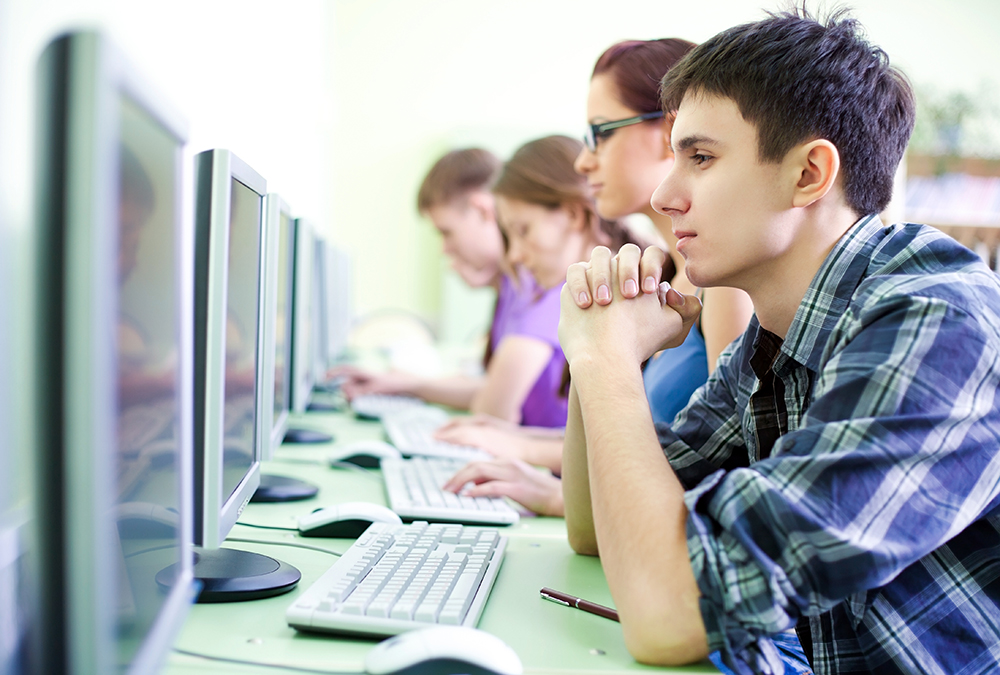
(228, 575)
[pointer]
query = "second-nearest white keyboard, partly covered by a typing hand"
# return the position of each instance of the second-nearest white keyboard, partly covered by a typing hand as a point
(413, 487)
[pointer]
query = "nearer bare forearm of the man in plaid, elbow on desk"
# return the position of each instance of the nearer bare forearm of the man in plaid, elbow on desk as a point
(638, 517)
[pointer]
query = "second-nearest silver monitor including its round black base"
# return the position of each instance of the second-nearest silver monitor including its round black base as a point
(230, 379)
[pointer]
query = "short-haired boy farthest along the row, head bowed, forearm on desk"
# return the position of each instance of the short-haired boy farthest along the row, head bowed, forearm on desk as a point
(455, 195)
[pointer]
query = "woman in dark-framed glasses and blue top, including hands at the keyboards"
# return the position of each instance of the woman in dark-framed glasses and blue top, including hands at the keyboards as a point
(626, 154)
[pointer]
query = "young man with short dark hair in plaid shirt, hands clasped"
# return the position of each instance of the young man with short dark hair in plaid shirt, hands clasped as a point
(840, 471)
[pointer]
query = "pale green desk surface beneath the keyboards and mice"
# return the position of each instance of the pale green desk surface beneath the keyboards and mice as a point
(549, 638)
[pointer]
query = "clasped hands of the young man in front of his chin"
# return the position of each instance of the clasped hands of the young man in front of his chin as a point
(606, 313)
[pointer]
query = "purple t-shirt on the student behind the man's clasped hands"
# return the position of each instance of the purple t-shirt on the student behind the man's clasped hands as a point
(527, 310)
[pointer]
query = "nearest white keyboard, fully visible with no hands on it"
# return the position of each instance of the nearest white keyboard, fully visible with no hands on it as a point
(395, 578)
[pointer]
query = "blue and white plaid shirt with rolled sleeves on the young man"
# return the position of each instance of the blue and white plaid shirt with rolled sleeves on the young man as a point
(877, 513)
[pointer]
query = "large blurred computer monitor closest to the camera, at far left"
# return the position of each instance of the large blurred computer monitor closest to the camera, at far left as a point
(112, 366)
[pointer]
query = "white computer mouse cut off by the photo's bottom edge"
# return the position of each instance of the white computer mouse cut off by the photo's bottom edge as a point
(440, 650)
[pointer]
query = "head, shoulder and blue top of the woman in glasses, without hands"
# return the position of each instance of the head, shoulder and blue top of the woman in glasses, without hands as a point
(627, 154)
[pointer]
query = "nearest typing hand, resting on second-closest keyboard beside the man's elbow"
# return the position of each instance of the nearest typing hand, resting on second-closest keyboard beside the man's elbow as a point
(536, 490)
